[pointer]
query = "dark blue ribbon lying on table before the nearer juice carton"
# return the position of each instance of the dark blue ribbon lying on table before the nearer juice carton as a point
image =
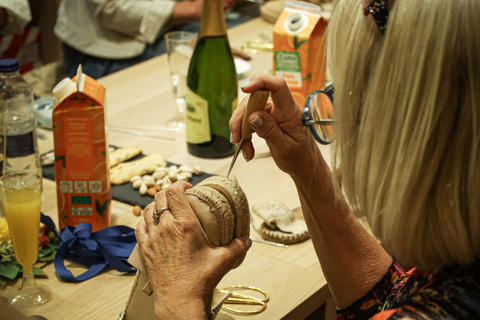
(107, 247)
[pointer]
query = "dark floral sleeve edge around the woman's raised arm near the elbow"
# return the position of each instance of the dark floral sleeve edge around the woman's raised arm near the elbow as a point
(374, 300)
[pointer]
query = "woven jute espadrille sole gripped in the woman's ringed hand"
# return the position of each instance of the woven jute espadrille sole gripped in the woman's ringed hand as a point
(222, 209)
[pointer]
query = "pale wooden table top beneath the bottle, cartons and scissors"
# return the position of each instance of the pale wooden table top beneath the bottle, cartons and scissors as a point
(141, 95)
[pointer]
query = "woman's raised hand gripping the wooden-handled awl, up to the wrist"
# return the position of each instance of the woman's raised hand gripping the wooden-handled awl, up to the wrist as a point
(290, 144)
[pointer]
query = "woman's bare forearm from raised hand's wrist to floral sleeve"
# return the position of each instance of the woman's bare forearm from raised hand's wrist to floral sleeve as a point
(351, 259)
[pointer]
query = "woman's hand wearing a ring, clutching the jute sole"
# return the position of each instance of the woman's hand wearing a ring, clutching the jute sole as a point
(182, 264)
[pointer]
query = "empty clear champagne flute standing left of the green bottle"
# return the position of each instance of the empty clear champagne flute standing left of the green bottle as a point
(180, 45)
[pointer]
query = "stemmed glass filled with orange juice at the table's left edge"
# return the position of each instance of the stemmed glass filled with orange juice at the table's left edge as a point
(22, 199)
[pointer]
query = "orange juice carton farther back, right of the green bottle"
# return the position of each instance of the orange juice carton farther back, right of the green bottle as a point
(299, 39)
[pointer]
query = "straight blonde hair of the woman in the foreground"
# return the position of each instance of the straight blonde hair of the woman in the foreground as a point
(408, 140)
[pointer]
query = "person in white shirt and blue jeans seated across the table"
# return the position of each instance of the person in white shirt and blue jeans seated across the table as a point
(107, 36)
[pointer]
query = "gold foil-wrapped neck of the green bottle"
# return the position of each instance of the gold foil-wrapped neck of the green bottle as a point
(212, 23)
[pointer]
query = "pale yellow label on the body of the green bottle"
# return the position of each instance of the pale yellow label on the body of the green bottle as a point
(197, 122)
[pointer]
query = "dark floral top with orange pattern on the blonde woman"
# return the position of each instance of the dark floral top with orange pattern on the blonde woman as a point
(451, 293)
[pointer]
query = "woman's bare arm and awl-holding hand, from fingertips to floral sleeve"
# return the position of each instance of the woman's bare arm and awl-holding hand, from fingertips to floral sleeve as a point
(351, 259)
